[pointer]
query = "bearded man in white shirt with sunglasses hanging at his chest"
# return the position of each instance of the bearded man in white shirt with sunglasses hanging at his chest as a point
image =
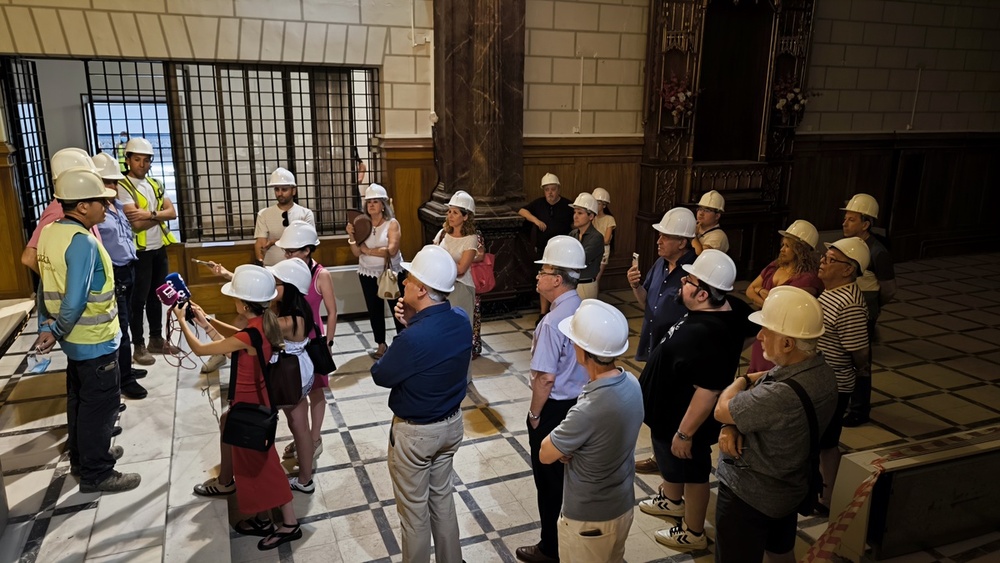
(271, 222)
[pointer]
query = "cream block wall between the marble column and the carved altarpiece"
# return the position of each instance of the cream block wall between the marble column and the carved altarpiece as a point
(583, 66)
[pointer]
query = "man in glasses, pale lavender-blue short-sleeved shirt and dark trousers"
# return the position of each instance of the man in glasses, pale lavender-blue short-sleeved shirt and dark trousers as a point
(556, 382)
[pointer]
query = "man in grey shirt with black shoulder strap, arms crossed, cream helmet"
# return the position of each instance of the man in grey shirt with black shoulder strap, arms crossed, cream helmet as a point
(764, 446)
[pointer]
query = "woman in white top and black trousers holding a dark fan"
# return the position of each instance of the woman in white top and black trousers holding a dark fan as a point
(372, 253)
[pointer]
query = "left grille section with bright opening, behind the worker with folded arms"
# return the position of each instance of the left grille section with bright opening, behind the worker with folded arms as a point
(130, 98)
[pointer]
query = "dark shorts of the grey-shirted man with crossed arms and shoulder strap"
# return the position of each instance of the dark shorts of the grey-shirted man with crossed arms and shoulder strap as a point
(743, 533)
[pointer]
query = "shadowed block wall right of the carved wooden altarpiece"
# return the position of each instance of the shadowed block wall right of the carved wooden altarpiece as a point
(866, 56)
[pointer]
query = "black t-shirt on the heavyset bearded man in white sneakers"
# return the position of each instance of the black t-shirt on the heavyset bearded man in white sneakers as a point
(702, 349)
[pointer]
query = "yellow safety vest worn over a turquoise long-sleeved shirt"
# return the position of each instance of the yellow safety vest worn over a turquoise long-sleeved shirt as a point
(99, 322)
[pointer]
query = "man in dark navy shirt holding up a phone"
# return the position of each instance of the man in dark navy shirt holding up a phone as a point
(663, 282)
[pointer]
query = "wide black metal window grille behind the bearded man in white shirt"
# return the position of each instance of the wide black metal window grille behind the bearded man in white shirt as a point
(231, 125)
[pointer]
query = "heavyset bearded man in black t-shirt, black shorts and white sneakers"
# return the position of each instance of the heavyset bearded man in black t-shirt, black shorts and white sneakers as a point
(680, 384)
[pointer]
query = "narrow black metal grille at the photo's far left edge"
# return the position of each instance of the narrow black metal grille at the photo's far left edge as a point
(26, 133)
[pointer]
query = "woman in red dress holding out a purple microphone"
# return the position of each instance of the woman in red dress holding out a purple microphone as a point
(262, 482)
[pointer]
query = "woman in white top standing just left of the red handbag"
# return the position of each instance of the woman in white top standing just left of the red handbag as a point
(459, 238)
